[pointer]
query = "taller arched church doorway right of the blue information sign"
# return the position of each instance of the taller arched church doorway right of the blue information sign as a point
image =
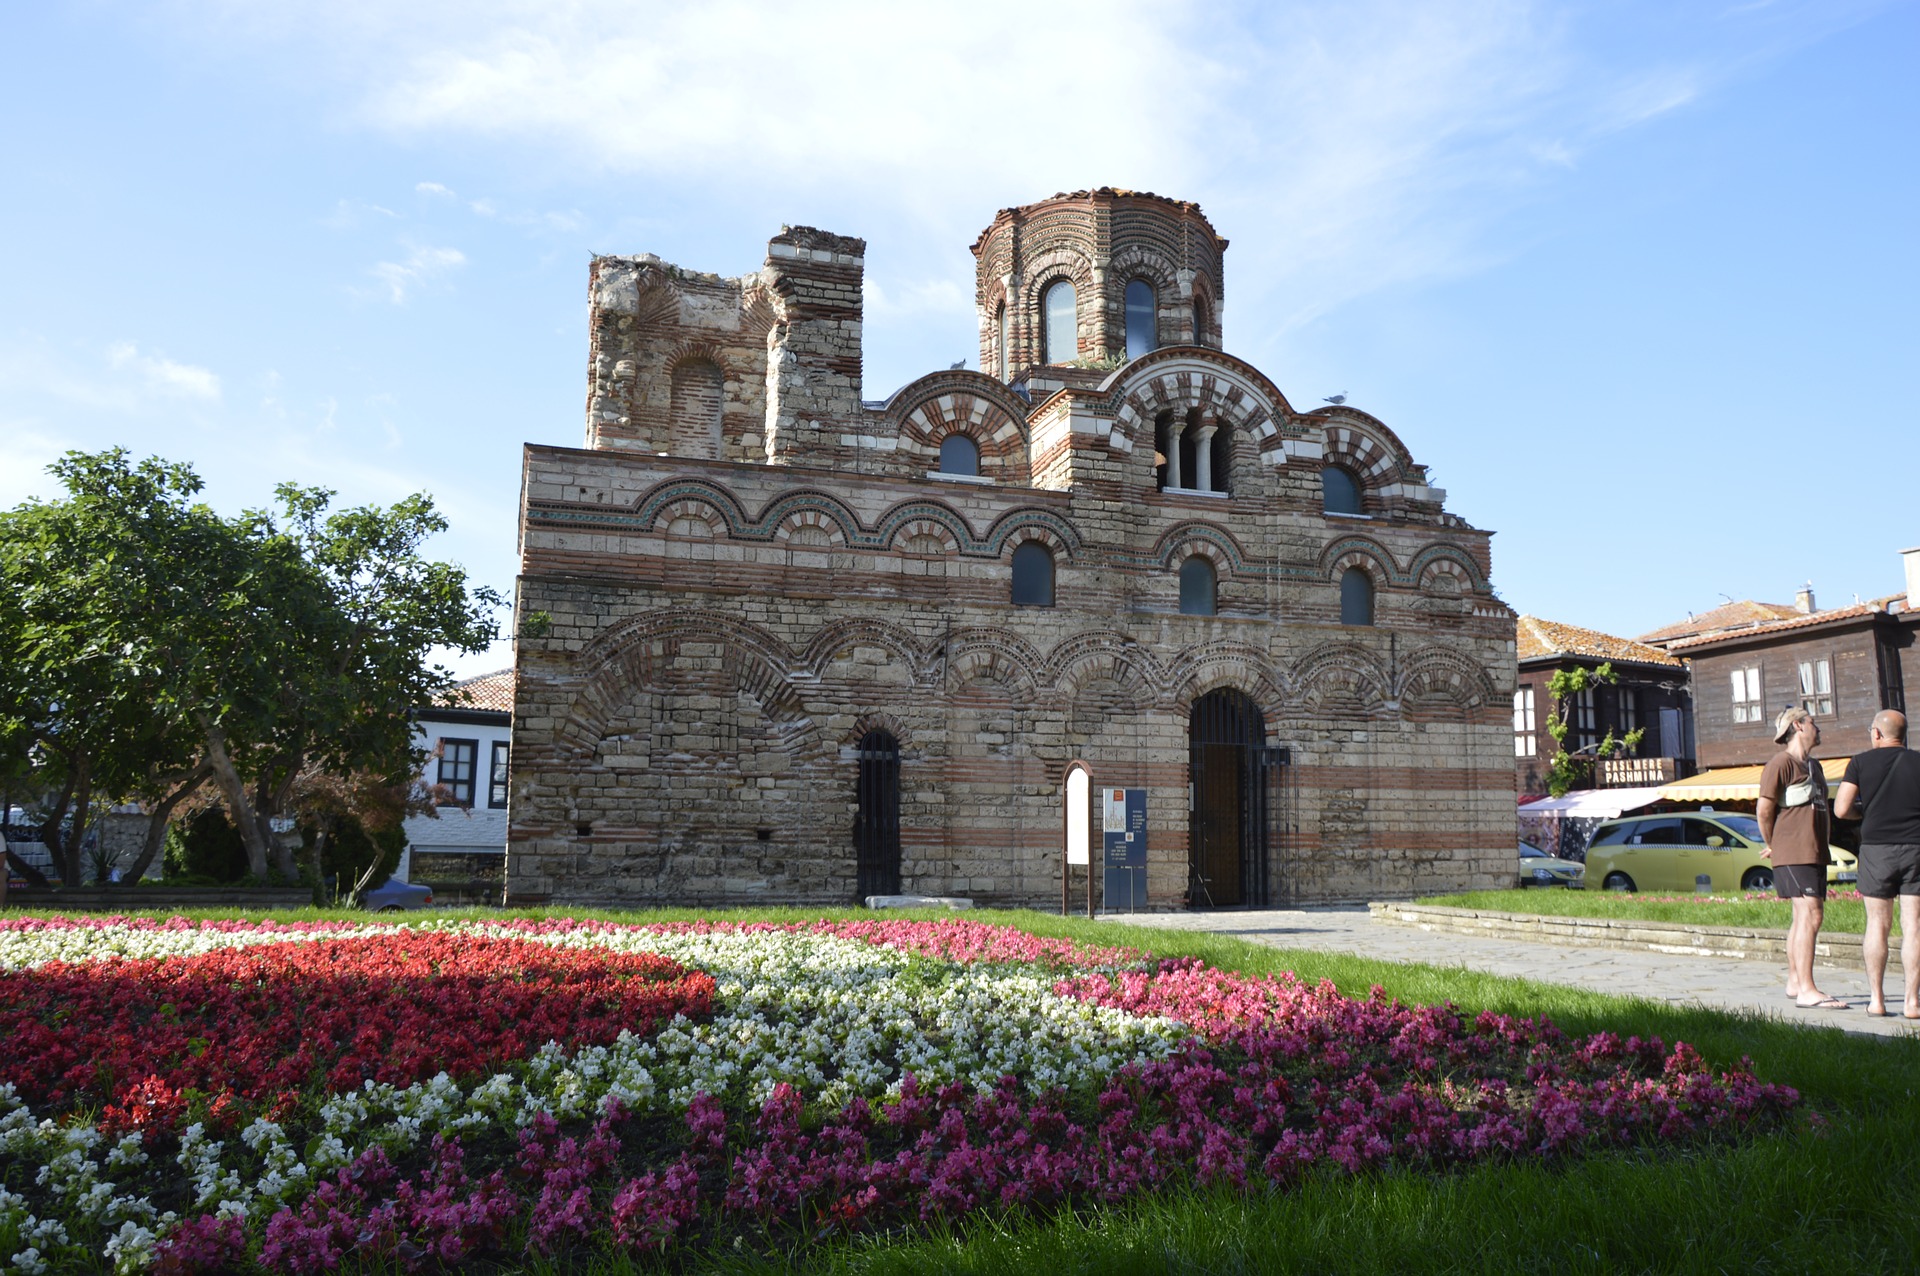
(1228, 824)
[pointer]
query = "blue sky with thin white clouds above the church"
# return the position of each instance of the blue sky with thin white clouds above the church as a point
(1635, 279)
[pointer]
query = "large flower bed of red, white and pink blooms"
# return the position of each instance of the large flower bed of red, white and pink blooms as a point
(214, 1095)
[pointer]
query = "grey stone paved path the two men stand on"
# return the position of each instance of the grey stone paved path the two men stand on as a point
(1702, 981)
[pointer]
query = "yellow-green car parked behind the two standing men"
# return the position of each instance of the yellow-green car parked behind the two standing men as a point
(1669, 853)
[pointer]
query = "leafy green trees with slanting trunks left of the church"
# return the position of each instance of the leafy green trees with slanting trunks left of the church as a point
(155, 646)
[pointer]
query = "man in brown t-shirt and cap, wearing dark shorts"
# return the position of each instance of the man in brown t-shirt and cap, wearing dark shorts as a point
(1794, 820)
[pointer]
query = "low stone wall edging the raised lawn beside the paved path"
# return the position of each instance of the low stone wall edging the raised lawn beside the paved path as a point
(1671, 937)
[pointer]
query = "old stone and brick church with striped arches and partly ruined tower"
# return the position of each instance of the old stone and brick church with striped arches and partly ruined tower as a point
(786, 646)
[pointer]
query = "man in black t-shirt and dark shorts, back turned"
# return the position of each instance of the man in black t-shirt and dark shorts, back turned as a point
(1886, 784)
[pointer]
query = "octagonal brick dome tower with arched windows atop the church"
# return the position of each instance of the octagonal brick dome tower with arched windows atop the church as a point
(1093, 279)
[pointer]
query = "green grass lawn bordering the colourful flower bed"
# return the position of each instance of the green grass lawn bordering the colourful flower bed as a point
(1833, 1196)
